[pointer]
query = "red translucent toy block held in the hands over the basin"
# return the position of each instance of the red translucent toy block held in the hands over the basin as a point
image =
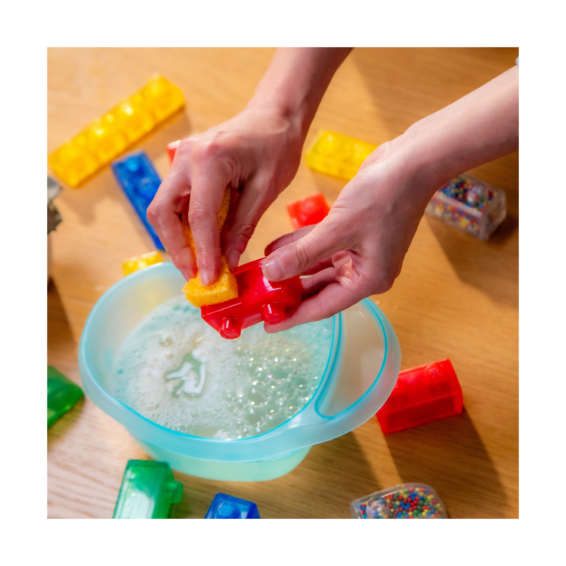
(258, 299)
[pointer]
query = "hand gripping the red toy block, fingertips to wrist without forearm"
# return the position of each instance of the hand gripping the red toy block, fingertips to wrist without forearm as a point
(358, 249)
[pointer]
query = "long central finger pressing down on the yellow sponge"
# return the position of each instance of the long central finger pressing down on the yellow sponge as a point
(208, 183)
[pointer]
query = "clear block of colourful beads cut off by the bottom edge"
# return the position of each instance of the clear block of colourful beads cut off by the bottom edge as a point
(405, 502)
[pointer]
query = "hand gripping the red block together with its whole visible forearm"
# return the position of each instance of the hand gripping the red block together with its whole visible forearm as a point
(358, 249)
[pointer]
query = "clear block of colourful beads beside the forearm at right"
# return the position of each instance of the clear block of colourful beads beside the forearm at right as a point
(469, 204)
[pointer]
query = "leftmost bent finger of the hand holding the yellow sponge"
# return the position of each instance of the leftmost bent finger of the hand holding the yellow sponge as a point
(163, 214)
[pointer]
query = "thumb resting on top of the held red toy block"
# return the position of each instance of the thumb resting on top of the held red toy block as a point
(299, 256)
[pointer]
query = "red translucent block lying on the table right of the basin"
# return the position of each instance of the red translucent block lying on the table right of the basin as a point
(422, 395)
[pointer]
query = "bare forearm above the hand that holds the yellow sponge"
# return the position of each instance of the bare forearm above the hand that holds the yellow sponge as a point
(296, 81)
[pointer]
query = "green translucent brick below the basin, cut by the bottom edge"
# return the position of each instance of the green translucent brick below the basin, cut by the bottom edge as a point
(147, 493)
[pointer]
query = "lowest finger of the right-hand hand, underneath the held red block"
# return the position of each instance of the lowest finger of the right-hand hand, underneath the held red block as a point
(331, 300)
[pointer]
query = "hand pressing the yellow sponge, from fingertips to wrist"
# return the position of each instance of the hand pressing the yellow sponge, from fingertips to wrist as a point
(257, 153)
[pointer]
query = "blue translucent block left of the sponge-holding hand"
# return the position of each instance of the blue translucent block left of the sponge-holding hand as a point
(140, 181)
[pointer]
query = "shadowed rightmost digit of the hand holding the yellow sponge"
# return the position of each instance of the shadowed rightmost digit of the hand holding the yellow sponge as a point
(254, 200)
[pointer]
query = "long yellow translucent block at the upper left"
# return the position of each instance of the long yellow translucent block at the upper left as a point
(108, 136)
